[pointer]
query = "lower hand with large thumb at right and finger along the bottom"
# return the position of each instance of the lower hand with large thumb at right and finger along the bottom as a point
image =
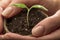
(48, 28)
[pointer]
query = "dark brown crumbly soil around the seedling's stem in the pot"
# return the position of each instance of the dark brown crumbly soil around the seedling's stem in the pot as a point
(18, 23)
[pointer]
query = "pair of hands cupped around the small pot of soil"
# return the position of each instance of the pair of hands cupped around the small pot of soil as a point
(49, 28)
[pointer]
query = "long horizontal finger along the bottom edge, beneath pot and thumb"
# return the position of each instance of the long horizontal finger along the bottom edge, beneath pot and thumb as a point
(53, 36)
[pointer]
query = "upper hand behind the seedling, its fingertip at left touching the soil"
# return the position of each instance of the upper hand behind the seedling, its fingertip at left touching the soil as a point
(10, 10)
